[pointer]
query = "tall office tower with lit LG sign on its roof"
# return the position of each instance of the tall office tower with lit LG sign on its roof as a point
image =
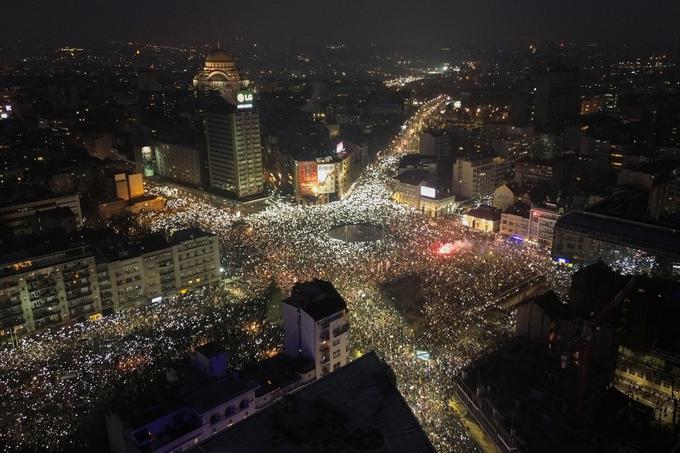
(234, 148)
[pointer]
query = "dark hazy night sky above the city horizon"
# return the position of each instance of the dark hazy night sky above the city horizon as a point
(421, 22)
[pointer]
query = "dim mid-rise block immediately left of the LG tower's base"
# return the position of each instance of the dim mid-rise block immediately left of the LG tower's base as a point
(183, 163)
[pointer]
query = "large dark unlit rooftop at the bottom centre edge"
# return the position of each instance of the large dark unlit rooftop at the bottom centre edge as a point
(356, 408)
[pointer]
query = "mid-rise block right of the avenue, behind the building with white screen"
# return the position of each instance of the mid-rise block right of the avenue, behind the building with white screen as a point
(475, 178)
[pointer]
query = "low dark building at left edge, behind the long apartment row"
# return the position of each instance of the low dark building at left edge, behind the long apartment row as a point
(18, 216)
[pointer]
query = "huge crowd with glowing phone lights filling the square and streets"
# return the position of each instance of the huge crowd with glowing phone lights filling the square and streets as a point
(56, 381)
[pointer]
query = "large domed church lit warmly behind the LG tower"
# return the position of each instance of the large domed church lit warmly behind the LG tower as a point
(219, 74)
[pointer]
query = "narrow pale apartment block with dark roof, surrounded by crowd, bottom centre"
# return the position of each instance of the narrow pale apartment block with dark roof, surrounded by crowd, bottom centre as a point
(316, 326)
